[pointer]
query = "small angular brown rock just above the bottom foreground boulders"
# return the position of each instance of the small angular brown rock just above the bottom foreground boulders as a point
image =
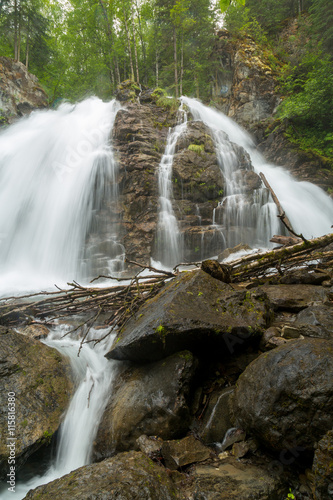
(180, 453)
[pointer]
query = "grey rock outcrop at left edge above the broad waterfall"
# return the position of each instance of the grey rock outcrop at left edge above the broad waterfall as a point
(20, 91)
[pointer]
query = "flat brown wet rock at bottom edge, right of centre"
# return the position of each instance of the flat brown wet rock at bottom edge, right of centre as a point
(233, 480)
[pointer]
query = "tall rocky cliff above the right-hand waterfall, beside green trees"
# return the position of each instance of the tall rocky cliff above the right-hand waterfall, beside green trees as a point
(246, 89)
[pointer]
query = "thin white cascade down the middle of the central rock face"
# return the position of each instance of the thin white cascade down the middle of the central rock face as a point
(169, 247)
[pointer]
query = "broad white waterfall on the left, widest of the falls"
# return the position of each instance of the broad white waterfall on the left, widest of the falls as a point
(56, 171)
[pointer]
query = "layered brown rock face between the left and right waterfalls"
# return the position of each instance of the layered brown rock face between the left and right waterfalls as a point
(139, 139)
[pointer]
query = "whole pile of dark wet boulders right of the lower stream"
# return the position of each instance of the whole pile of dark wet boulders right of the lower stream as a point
(226, 392)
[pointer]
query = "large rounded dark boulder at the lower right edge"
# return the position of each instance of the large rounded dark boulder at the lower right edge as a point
(285, 397)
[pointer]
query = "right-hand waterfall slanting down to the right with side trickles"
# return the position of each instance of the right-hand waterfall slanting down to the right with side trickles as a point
(308, 208)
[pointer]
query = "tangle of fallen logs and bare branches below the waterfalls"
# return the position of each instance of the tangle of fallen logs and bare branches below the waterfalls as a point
(119, 302)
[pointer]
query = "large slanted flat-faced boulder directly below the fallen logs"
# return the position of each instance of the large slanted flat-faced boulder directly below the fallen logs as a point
(194, 311)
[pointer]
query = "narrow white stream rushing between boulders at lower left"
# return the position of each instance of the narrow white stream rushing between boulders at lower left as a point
(94, 376)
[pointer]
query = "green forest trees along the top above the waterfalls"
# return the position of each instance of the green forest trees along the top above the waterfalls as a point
(82, 47)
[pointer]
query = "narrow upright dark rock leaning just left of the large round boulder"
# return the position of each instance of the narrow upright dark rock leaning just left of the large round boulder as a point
(216, 420)
